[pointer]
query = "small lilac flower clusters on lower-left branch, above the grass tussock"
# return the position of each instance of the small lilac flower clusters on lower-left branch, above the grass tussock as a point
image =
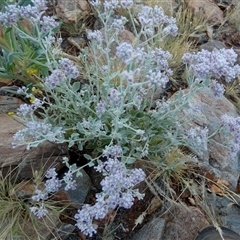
(52, 185)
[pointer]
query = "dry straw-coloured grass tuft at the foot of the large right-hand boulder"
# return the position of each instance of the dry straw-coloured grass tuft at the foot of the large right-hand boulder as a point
(173, 174)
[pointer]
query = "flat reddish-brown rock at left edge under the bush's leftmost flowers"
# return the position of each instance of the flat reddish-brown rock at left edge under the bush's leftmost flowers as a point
(39, 158)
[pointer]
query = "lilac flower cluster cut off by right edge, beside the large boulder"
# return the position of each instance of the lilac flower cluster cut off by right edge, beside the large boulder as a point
(233, 124)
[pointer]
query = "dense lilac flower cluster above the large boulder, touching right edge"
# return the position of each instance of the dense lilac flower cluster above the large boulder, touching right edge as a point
(215, 64)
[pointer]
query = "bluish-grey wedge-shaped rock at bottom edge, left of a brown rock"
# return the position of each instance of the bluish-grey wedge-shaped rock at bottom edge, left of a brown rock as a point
(152, 230)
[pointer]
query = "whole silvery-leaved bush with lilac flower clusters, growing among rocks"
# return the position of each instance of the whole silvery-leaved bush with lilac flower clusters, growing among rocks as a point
(113, 109)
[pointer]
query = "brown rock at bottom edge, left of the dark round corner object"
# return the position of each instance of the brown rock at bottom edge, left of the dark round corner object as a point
(185, 225)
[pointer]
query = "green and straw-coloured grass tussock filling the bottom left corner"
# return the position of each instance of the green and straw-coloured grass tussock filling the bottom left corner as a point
(16, 220)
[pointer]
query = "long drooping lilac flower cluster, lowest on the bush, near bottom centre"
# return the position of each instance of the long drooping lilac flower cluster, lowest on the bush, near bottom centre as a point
(116, 190)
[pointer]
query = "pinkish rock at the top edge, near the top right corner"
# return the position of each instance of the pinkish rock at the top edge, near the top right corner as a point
(208, 9)
